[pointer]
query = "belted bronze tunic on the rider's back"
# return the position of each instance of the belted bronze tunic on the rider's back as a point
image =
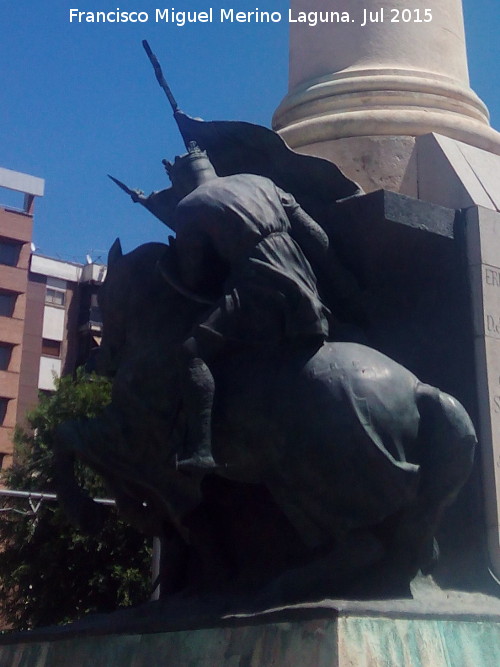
(234, 240)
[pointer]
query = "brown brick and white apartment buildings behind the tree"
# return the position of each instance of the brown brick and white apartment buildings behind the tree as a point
(49, 315)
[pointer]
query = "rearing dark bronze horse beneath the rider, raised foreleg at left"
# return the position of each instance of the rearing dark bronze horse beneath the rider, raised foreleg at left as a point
(336, 463)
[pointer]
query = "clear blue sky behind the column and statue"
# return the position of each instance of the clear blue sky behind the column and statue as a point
(80, 101)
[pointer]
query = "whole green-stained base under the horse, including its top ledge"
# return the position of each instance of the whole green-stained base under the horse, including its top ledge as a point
(437, 628)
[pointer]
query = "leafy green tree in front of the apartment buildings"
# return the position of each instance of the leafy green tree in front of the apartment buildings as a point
(50, 572)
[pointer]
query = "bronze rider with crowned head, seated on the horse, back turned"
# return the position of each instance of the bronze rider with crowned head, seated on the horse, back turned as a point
(247, 243)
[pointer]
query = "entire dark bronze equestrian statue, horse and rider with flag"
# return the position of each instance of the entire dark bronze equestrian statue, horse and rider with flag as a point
(251, 427)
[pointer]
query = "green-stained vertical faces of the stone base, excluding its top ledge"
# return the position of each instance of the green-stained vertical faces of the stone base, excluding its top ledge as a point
(347, 640)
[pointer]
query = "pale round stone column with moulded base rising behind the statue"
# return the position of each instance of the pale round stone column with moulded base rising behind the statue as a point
(371, 76)
